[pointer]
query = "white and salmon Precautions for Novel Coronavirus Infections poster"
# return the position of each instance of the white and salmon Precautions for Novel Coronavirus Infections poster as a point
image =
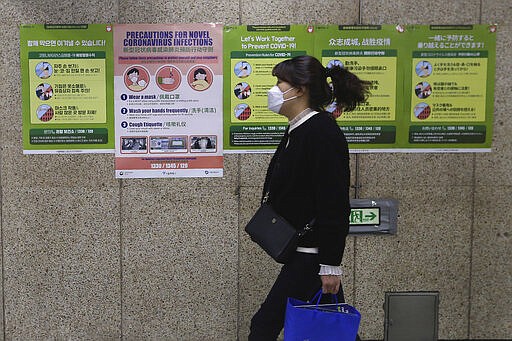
(168, 100)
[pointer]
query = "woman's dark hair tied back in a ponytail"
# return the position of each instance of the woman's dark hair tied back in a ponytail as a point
(306, 71)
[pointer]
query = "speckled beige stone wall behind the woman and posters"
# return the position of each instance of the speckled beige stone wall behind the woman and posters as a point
(89, 257)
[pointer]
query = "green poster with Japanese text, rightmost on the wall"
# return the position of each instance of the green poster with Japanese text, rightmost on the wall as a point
(450, 87)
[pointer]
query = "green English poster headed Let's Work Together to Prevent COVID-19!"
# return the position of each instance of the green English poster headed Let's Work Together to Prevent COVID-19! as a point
(250, 53)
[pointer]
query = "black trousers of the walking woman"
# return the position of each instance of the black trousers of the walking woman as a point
(298, 279)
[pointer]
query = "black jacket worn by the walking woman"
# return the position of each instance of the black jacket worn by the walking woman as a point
(310, 178)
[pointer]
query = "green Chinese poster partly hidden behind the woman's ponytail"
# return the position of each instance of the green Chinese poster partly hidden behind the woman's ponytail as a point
(374, 53)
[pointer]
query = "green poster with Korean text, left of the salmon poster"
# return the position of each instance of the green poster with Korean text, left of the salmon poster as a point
(67, 87)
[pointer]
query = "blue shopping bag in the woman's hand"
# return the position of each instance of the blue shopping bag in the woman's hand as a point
(312, 321)
